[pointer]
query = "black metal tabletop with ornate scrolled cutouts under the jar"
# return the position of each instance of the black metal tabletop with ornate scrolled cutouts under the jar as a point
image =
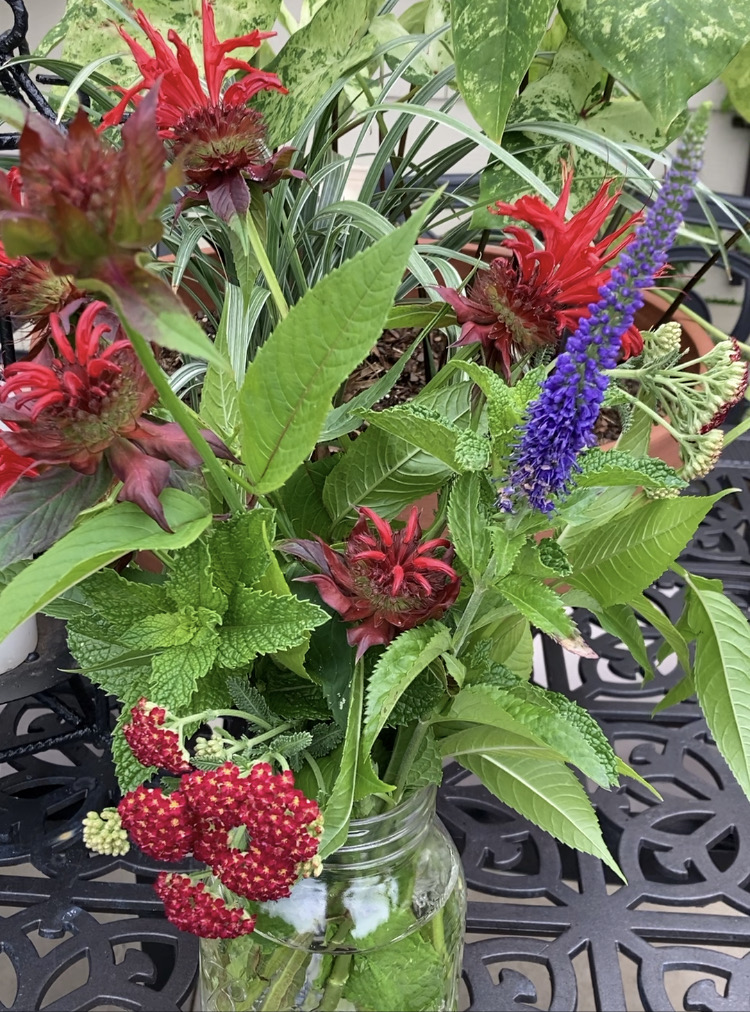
(547, 929)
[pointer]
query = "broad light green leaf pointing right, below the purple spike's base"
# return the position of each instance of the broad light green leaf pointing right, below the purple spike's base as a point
(619, 561)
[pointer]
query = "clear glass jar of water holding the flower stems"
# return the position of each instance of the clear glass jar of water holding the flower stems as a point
(381, 930)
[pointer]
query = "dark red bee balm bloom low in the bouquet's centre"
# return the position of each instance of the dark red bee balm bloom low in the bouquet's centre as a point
(384, 581)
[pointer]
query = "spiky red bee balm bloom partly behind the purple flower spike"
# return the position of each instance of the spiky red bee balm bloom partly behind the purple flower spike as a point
(531, 298)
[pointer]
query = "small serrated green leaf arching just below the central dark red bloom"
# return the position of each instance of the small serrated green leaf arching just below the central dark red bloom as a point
(408, 655)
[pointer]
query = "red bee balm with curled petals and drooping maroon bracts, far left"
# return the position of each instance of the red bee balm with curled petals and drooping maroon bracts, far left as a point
(88, 403)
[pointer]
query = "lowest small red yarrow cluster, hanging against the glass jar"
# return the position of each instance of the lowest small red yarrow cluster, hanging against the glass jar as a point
(191, 907)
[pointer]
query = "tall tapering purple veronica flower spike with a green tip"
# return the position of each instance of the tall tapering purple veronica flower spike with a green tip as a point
(560, 423)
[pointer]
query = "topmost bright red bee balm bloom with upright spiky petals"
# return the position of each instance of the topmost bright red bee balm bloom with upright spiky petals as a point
(217, 137)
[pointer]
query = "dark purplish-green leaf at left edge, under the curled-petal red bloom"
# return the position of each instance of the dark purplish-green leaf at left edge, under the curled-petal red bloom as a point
(36, 513)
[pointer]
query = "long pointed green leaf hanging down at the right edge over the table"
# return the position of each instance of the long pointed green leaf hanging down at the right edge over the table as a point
(721, 674)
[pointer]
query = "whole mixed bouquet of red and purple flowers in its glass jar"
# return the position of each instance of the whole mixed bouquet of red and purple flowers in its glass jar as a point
(307, 641)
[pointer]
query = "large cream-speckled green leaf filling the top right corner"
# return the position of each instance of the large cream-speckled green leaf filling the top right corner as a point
(665, 51)
